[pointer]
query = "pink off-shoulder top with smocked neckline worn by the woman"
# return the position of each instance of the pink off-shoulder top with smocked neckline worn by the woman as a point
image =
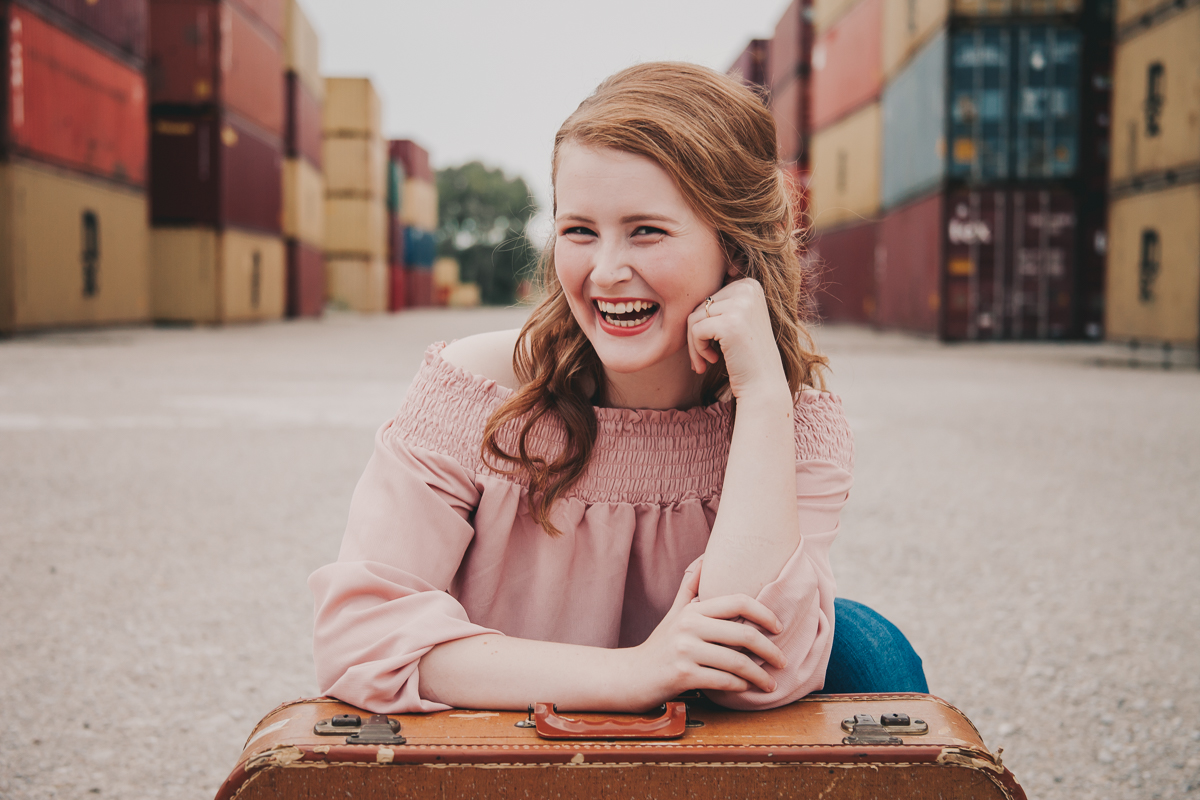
(440, 548)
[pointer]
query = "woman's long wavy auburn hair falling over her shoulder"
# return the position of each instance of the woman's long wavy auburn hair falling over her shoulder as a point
(717, 140)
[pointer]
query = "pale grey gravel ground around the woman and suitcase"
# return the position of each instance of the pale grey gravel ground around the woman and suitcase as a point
(1028, 516)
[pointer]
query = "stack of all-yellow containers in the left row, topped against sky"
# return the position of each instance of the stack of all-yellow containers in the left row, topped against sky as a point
(355, 158)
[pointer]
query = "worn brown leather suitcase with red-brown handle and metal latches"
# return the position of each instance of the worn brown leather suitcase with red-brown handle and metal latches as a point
(833, 747)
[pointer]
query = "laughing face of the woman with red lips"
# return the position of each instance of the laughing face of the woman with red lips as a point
(634, 261)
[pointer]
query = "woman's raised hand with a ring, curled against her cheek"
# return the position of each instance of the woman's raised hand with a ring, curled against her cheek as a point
(740, 322)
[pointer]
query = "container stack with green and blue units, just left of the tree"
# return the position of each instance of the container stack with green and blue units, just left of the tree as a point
(419, 219)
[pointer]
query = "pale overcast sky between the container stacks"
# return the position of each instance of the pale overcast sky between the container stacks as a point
(494, 81)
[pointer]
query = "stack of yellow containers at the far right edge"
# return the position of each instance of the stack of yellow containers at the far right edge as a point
(1154, 258)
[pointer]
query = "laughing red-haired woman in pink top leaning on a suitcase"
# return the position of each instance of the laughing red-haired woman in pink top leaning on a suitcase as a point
(635, 495)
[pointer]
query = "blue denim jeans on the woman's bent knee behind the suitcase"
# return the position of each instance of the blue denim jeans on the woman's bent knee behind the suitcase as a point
(871, 654)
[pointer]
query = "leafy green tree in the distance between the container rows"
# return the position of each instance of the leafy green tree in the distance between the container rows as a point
(483, 216)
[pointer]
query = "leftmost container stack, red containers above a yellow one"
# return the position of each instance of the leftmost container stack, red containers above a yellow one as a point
(74, 236)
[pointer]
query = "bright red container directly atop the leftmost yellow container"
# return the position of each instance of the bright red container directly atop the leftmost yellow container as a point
(70, 105)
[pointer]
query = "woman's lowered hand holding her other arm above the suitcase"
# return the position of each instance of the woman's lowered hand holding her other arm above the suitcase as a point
(698, 645)
